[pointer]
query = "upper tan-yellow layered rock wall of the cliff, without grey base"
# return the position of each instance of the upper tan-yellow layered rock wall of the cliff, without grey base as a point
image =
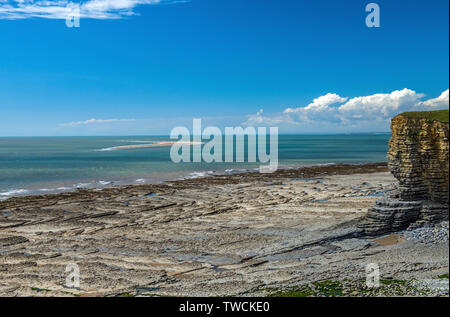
(418, 158)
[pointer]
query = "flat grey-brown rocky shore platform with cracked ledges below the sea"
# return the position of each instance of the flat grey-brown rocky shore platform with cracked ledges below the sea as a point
(291, 233)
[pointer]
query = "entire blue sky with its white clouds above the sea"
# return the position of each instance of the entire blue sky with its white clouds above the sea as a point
(143, 67)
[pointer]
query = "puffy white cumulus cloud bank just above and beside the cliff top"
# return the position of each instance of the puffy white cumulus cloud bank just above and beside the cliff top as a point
(373, 110)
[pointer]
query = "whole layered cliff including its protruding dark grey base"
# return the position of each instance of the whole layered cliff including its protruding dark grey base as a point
(419, 159)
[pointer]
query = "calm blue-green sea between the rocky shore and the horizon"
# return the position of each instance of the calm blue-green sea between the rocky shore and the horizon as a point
(55, 164)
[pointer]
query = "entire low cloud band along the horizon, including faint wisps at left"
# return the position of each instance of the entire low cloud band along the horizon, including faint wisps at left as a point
(326, 114)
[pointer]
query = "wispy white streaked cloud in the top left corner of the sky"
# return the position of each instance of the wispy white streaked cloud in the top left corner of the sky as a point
(61, 9)
